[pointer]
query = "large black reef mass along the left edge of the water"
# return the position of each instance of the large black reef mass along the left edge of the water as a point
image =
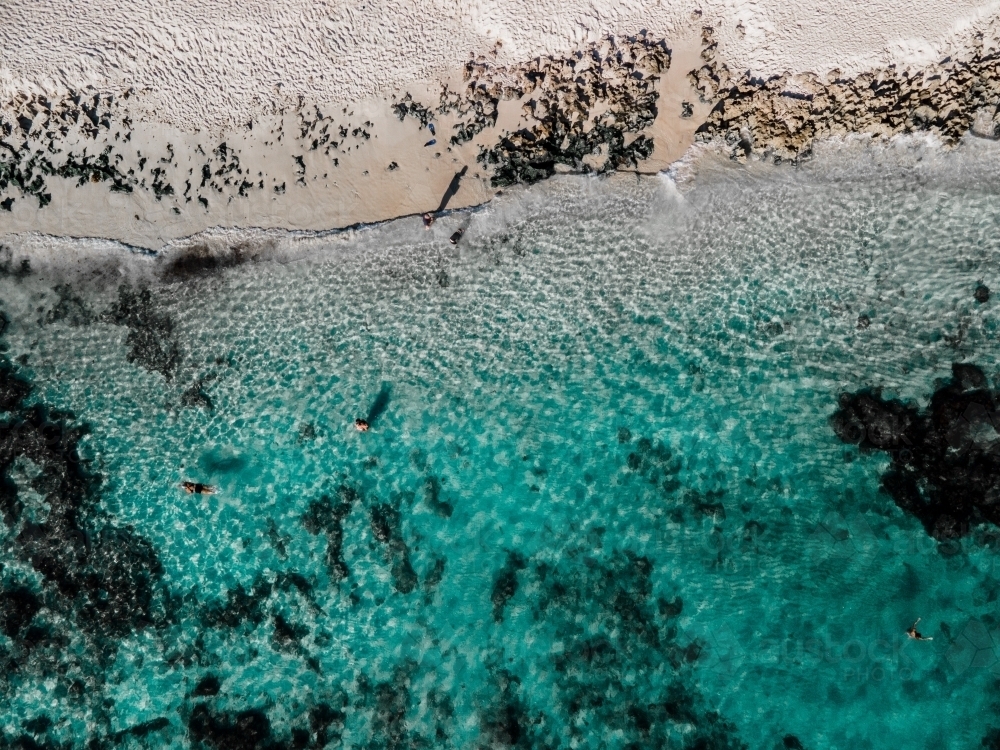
(102, 580)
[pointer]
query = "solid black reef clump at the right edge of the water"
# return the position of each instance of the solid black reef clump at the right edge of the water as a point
(945, 462)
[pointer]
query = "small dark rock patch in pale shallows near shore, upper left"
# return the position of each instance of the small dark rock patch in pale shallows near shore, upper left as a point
(151, 340)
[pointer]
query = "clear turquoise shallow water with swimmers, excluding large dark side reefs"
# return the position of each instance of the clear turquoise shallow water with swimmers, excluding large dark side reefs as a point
(613, 395)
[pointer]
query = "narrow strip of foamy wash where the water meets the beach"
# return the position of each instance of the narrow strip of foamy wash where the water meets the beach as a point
(705, 163)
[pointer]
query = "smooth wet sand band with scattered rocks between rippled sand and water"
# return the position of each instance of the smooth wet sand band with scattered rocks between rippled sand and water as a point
(81, 166)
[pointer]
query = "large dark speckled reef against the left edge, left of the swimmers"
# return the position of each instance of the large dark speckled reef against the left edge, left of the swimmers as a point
(72, 581)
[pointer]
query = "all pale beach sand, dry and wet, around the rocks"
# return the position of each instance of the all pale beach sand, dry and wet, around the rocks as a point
(203, 73)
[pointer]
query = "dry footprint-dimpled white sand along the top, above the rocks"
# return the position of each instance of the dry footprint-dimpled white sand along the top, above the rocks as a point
(214, 64)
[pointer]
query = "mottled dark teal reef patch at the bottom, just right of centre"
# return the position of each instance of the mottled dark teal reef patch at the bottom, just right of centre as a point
(603, 612)
